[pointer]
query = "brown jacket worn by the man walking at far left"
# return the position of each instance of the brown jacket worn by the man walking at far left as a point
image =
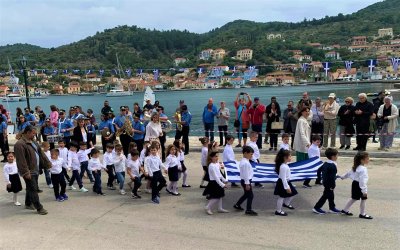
(26, 157)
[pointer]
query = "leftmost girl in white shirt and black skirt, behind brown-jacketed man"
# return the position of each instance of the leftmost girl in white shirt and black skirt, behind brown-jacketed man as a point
(12, 178)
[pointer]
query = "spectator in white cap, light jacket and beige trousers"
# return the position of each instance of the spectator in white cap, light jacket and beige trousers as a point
(331, 108)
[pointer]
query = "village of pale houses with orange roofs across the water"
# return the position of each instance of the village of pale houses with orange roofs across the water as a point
(213, 74)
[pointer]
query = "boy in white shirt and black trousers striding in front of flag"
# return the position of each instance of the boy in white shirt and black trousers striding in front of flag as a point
(246, 174)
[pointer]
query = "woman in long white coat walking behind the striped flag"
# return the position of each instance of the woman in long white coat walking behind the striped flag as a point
(302, 135)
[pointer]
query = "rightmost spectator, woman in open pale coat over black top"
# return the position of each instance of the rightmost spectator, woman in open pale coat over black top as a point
(387, 123)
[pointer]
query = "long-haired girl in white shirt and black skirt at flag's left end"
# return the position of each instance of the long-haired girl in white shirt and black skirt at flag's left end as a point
(215, 188)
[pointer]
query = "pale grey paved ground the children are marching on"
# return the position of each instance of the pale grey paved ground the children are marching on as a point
(88, 221)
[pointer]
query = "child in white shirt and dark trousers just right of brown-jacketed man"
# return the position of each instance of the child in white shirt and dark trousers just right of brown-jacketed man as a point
(57, 177)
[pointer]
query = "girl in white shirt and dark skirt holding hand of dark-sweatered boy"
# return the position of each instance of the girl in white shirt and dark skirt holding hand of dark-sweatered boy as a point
(359, 174)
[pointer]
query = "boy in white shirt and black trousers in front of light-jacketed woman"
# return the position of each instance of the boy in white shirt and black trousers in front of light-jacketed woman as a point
(152, 168)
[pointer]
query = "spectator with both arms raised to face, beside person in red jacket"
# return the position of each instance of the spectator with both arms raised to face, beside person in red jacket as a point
(242, 120)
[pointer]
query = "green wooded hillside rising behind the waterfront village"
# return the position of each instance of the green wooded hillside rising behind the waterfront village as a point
(138, 47)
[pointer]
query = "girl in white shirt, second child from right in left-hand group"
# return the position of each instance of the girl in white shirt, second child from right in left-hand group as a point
(173, 165)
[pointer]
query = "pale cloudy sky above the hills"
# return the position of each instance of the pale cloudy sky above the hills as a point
(51, 23)
